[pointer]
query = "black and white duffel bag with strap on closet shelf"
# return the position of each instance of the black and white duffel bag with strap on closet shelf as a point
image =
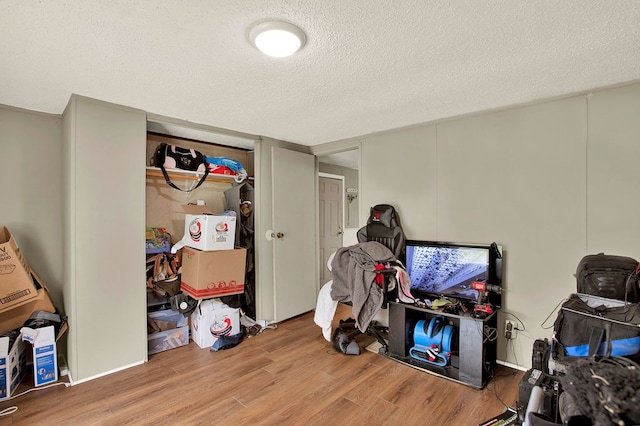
(175, 157)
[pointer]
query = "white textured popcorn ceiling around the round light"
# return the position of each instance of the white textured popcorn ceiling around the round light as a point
(368, 66)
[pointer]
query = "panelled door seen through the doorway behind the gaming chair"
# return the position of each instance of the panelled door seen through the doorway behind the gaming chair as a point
(330, 195)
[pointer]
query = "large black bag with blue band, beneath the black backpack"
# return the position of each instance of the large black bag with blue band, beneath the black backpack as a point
(592, 326)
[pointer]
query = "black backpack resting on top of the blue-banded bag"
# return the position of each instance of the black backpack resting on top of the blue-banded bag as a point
(609, 276)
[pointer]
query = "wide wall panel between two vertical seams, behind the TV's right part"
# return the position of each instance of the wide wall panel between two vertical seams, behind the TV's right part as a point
(517, 177)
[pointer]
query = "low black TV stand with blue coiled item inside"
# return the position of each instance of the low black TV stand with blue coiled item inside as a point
(477, 343)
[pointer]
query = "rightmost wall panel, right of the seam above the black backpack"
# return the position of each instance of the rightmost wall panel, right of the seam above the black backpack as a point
(613, 171)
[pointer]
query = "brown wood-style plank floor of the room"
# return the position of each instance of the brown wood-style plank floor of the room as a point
(288, 376)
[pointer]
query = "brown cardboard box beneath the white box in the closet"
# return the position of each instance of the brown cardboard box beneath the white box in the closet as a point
(209, 274)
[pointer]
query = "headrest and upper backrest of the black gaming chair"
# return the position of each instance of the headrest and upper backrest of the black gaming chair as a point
(384, 227)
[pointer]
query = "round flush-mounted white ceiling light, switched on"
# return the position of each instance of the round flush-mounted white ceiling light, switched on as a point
(277, 39)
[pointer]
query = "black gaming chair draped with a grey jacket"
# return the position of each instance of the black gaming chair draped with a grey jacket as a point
(383, 227)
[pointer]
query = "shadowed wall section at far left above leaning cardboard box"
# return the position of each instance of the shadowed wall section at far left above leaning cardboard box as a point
(31, 177)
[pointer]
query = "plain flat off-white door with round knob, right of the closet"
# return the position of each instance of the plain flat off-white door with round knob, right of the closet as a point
(294, 226)
